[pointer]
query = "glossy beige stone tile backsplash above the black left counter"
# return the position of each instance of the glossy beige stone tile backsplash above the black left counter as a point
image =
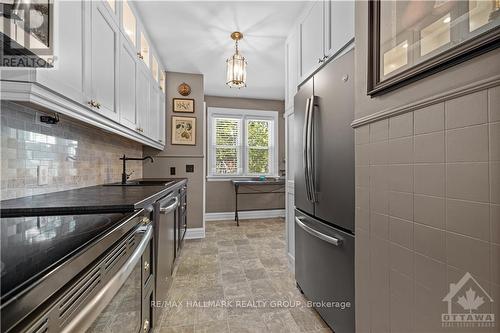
(76, 155)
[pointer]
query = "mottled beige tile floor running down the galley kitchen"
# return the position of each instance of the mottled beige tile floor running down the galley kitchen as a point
(246, 267)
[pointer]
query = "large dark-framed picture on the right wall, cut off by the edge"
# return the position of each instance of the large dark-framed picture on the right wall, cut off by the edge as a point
(409, 40)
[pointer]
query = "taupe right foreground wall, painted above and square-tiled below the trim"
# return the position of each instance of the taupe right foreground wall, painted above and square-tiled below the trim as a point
(427, 194)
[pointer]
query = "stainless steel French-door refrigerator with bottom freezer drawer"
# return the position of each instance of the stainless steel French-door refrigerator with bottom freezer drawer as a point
(324, 191)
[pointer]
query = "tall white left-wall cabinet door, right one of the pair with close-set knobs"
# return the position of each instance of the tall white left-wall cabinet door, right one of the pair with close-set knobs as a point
(103, 62)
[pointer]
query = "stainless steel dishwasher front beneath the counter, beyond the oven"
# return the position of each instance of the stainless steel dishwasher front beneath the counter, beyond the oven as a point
(165, 215)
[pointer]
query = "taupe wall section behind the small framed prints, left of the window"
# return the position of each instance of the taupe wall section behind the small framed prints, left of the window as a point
(179, 155)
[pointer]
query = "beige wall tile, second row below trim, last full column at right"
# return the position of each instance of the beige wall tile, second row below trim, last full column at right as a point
(468, 144)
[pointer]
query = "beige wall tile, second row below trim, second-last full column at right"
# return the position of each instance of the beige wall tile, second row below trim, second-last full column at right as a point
(429, 148)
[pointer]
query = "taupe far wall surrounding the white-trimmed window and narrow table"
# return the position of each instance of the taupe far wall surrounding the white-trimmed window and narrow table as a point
(220, 194)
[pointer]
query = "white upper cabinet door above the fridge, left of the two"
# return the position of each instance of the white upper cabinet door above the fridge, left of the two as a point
(311, 40)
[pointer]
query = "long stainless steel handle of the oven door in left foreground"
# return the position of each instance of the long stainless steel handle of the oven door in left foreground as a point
(86, 316)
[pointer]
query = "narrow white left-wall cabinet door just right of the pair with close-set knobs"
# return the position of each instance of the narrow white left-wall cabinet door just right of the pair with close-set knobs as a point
(127, 89)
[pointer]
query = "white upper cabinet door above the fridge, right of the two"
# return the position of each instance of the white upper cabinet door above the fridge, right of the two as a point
(339, 25)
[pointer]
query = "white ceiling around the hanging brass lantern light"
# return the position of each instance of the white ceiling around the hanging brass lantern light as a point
(194, 37)
